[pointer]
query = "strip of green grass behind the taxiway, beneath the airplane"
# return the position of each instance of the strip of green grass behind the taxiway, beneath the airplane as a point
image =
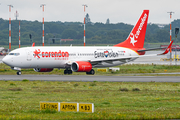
(133, 69)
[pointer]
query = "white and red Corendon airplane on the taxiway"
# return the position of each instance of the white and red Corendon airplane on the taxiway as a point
(82, 58)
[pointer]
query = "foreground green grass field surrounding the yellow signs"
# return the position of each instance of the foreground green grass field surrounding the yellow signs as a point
(21, 99)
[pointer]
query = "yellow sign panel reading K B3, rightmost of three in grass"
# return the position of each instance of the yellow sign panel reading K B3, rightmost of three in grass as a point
(86, 107)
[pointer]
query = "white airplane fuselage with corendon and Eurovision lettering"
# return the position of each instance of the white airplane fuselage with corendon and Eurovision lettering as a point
(62, 57)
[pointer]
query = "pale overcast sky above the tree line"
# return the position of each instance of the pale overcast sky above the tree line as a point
(126, 11)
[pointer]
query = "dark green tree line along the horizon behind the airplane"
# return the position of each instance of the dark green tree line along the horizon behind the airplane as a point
(96, 33)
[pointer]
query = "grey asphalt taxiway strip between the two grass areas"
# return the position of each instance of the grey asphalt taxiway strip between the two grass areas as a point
(89, 78)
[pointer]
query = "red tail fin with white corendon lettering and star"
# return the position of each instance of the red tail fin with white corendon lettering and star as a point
(136, 38)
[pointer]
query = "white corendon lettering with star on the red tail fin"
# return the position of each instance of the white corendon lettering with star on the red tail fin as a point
(138, 30)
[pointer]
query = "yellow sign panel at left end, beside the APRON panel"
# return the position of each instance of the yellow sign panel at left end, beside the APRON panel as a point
(50, 105)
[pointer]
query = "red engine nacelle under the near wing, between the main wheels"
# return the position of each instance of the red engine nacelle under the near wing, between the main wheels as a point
(81, 66)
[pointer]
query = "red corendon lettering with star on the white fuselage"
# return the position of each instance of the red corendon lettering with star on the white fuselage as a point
(38, 53)
